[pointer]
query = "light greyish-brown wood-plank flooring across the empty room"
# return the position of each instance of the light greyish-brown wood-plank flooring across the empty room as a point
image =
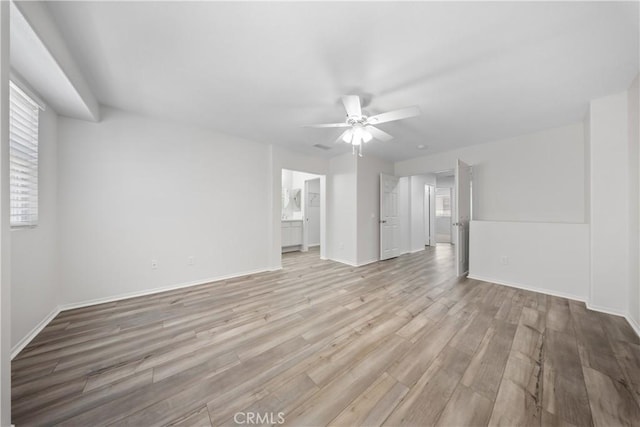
(398, 342)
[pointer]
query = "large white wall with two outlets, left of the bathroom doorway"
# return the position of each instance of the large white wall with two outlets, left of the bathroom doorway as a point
(133, 189)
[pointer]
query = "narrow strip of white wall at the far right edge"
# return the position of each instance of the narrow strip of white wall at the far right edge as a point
(634, 202)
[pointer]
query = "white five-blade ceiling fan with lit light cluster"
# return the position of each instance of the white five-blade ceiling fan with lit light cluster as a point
(361, 129)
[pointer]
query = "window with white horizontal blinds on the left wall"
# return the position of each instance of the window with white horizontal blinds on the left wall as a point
(23, 158)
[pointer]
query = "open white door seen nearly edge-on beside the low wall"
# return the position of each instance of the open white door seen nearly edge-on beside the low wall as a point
(462, 216)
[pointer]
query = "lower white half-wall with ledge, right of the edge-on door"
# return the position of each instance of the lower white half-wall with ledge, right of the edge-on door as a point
(551, 258)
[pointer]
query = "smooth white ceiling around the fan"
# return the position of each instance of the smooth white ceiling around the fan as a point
(479, 71)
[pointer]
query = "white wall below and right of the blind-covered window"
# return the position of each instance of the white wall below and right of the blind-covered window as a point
(35, 291)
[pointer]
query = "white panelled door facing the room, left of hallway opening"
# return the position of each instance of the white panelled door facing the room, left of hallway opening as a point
(389, 217)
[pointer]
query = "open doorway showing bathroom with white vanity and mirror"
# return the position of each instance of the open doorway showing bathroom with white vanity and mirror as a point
(301, 214)
